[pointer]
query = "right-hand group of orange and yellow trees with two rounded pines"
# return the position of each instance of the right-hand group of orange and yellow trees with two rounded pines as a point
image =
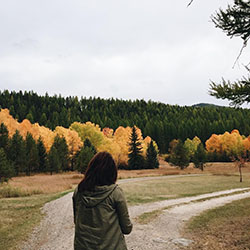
(226, 147)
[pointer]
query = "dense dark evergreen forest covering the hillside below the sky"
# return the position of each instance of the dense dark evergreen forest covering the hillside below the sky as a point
(161, 122)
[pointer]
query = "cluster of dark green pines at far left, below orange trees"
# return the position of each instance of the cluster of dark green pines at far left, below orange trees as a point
(20, 155)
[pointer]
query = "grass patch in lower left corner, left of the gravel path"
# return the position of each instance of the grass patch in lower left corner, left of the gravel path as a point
(18, 216)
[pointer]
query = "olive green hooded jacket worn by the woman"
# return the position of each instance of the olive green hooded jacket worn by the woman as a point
(101, 218)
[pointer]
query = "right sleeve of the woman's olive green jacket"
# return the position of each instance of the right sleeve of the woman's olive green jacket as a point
(122, 211)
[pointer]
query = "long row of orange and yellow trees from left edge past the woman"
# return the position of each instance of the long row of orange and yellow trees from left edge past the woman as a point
(114, 142)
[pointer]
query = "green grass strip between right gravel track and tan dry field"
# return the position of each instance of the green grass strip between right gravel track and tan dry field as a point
(161, 189)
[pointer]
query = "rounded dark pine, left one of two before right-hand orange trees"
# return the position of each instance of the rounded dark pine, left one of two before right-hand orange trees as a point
(179, 155)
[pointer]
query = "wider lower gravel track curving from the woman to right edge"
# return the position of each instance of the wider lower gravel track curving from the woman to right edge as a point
(164, 231)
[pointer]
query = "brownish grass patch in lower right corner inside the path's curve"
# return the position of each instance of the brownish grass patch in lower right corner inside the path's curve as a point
(226, 227)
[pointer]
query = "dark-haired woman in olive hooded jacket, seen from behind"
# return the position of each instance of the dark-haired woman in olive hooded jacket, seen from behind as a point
(100, 209)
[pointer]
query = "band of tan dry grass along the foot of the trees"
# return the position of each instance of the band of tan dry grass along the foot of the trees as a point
(46, 183)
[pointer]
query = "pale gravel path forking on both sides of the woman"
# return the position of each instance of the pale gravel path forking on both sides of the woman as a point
(56, 230)
